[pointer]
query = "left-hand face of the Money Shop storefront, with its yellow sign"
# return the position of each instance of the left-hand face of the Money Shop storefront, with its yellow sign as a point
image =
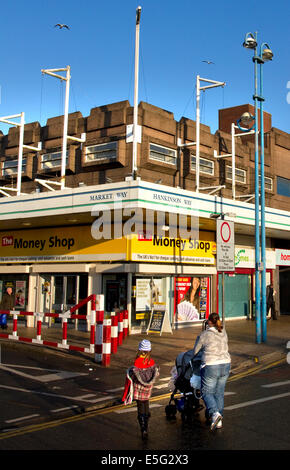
(52, 269)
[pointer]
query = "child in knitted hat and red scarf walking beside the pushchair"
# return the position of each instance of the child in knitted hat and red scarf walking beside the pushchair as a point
(139, 384)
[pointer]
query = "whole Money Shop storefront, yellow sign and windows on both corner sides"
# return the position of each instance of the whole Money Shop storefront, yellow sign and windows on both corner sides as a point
(51, 269)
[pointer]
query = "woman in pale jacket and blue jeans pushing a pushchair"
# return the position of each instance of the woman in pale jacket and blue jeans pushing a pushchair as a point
(215, 368)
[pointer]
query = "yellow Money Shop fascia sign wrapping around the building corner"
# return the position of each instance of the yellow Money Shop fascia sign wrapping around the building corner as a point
(76, 244)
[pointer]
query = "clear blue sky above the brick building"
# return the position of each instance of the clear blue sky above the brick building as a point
(175, 37)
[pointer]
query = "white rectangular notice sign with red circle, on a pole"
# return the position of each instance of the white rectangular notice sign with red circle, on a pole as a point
(225, 233)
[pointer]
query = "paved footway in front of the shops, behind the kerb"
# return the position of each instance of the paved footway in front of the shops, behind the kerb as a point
(246, 354)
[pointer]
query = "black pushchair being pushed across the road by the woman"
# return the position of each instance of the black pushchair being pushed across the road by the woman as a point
(184, 397)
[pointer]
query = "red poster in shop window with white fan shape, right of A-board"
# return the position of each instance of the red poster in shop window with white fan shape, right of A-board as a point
(191, 299)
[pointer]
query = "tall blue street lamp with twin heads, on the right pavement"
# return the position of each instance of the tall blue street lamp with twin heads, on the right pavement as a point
(266, 54)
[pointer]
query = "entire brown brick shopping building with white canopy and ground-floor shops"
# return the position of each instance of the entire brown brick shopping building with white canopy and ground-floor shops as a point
(147, 239)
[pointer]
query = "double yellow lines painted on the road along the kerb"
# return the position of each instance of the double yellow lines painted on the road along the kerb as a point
(103, 411)
